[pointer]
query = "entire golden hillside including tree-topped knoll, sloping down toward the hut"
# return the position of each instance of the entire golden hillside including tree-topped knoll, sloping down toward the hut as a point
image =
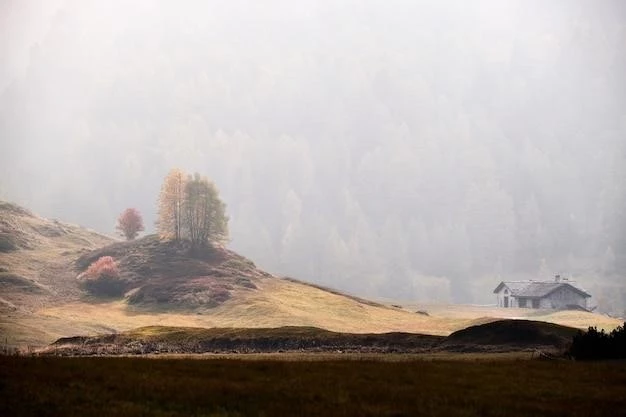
(168, 284)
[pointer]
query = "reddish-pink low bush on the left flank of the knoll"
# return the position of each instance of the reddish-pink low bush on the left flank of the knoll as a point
(103, 278)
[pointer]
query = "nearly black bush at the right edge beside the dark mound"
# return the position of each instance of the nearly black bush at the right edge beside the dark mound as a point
(594, 344)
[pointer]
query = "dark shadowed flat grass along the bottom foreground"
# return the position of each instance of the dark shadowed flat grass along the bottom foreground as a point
(52, 386)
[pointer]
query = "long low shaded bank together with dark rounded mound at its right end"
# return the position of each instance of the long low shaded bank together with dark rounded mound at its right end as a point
(498, 336)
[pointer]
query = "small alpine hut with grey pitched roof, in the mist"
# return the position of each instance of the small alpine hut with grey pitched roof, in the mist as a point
(557, 294)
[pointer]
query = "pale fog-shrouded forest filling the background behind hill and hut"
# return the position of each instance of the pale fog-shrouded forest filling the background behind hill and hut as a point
(412, 149)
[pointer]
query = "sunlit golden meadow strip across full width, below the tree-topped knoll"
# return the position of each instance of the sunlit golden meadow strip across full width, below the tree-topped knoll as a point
(277, 303)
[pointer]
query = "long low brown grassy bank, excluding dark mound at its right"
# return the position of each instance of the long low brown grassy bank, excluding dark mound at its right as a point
(159, 339)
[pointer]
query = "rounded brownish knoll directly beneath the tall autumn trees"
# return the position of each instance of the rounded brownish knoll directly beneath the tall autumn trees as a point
(174, 276)
